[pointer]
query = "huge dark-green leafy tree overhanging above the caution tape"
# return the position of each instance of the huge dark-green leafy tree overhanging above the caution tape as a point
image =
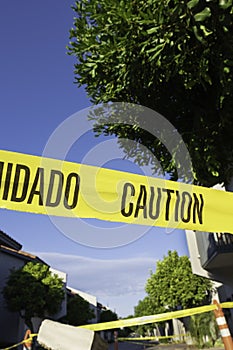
(174, 57)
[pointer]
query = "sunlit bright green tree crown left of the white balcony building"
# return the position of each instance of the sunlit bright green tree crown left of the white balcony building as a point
(174, 285)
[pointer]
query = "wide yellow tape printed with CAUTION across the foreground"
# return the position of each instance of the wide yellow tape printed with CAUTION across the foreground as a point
(48, 186)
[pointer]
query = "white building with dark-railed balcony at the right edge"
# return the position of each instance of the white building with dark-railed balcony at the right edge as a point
(211, 256)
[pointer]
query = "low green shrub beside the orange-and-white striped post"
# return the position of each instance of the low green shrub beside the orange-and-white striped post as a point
(203, 325)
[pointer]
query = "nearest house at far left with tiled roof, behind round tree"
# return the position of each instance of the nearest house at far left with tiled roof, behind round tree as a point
(12, 327)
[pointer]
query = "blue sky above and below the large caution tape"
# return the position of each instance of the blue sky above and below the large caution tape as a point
(37, 95)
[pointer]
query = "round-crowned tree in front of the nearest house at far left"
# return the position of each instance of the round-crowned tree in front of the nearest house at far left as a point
(33, 291)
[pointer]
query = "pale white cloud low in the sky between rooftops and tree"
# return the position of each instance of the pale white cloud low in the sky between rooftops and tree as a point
(117, 282)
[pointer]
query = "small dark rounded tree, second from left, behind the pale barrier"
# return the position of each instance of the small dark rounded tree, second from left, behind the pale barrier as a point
(78, 311)
